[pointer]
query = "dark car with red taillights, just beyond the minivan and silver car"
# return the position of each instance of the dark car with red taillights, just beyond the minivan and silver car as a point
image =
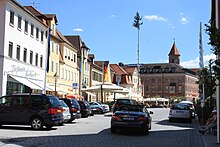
(74, 108)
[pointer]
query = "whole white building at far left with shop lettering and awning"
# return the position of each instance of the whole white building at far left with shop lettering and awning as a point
(23, 44)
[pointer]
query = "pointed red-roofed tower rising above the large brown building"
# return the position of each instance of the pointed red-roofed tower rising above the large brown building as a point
(174, 56)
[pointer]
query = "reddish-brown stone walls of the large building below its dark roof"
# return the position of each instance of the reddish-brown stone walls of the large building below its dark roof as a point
(170, 85)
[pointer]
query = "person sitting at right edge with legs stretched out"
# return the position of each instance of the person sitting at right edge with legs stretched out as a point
(211, 123)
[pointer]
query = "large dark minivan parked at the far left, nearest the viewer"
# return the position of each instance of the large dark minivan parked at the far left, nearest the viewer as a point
(37, 110)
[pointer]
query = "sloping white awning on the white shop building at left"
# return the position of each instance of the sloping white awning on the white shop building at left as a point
(26, 82)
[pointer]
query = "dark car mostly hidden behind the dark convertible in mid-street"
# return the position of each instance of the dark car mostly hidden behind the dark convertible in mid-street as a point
(122, 101)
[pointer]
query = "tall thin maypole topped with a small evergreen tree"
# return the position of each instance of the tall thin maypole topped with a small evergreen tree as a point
(137, 23)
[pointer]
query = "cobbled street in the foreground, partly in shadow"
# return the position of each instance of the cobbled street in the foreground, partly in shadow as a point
(94, 131)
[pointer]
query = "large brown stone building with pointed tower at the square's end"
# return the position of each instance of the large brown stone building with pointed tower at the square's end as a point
(169, 80)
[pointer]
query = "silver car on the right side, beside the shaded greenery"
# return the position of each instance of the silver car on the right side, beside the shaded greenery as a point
(180, 111)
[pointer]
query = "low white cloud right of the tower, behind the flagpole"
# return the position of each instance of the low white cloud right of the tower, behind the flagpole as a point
(195, 62)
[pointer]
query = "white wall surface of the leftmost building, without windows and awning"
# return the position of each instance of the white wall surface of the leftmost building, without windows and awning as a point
(19, 38)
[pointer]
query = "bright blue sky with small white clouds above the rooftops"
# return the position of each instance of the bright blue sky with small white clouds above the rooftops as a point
(106, 26)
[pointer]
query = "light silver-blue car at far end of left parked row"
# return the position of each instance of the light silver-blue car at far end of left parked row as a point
(98, 107)
